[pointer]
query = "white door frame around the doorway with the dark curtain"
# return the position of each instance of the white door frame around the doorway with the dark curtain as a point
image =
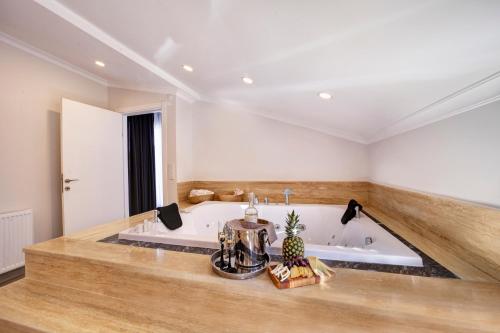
(134, 111)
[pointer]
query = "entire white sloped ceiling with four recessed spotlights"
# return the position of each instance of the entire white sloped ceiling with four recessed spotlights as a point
(390, 65)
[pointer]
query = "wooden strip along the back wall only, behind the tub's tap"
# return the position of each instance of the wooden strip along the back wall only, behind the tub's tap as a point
(304, 191)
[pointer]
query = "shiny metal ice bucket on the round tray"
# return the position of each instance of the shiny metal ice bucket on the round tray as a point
(250, 241)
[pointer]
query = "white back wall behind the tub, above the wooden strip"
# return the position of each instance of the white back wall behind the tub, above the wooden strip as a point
(231, 144)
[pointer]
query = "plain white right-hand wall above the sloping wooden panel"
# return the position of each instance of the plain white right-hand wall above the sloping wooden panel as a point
(457, 157)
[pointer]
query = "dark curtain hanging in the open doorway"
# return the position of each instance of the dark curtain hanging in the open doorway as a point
(141, 163)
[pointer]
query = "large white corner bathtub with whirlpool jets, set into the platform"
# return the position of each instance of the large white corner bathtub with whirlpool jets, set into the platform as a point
(324, 236)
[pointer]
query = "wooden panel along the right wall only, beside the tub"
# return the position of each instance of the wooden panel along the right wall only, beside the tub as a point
(462, 236)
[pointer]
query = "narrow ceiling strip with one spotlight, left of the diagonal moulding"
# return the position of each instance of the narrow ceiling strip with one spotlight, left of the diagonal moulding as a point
(27, 23)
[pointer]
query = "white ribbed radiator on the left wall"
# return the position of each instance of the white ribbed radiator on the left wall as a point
(16, 232)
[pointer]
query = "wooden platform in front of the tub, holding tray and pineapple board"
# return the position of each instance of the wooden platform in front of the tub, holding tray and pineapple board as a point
(74, 284)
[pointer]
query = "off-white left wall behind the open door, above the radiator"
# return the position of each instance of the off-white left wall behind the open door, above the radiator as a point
(30, 104)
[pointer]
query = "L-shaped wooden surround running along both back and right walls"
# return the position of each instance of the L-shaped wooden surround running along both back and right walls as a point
(462, 236)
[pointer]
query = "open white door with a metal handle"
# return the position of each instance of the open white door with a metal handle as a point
(92, 166)
